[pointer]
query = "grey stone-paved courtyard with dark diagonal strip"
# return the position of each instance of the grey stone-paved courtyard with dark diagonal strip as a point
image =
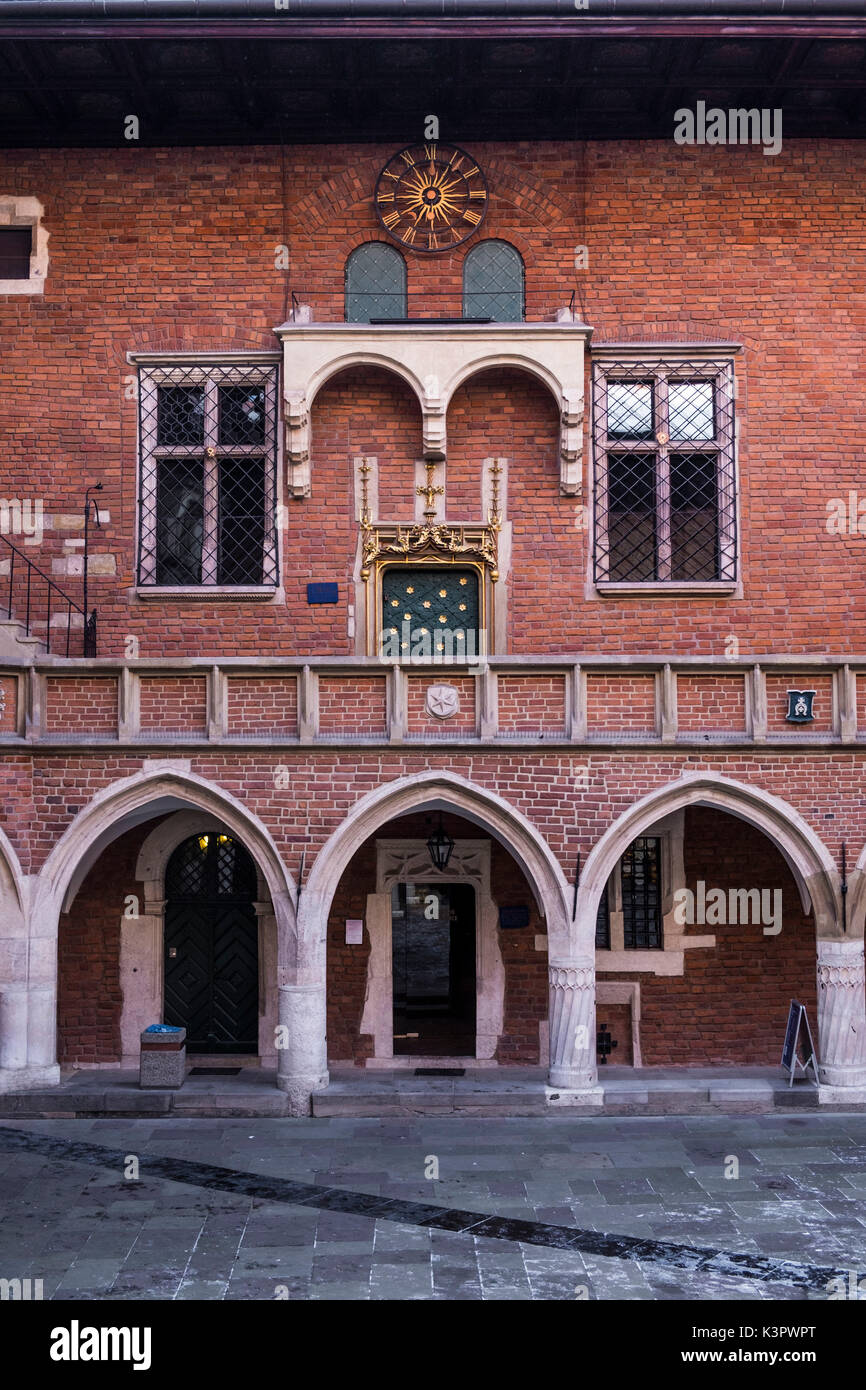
(454, 1209)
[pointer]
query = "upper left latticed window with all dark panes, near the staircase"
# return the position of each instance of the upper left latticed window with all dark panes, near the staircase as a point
(208, 476)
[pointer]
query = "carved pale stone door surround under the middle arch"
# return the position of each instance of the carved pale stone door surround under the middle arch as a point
(408, 861)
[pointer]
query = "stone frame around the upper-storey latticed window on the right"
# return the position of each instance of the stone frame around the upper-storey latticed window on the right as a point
(665, 361)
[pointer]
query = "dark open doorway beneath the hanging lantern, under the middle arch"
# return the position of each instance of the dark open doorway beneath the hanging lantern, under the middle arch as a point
(433, 932)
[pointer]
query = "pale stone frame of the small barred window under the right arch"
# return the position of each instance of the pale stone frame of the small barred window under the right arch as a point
(671, 958)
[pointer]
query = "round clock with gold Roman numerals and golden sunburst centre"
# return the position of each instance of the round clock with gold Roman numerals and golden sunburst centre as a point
(432, 197)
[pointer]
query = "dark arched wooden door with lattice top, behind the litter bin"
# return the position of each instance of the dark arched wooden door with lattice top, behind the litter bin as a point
(212, 946)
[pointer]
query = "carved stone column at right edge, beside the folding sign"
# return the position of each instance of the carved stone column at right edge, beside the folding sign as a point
(842, 1017)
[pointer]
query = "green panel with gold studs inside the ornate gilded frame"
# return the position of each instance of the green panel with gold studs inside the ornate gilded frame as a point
(432, 614)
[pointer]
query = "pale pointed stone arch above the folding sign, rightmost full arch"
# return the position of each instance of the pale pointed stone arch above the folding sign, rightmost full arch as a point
(808, 858)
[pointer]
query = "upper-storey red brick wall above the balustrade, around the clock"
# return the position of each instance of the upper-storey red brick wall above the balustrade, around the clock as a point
(764, 252)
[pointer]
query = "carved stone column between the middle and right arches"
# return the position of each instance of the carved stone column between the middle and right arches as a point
(573, 1065)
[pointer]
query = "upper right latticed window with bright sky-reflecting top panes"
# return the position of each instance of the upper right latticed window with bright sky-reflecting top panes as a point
(664, 472)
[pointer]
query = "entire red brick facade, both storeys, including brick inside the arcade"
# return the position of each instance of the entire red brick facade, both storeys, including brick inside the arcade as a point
(174, 251)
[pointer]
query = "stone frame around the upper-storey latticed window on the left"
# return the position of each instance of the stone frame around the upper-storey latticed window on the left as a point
(147, 461)
